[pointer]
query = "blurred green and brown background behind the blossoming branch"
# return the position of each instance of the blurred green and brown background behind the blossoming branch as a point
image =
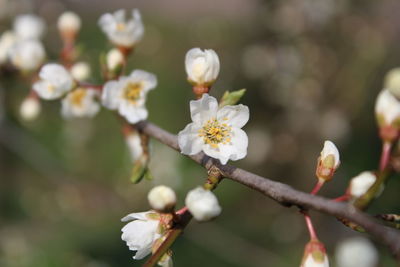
(312, 69)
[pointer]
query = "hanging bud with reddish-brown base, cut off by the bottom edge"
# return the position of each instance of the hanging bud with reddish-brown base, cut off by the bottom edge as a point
(315, 255)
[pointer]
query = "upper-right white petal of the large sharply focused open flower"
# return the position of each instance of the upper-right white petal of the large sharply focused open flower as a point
(235, 116)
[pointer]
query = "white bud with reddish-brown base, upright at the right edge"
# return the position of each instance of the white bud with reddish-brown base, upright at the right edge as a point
(387, 111)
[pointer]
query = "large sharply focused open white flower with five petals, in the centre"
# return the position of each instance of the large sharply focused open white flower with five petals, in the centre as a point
(215, 131)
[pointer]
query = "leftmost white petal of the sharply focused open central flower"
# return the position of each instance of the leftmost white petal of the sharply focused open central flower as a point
(189, 141)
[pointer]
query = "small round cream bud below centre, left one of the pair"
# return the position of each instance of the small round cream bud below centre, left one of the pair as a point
(162, 198)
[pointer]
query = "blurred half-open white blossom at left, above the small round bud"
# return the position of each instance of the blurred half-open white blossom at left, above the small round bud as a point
(54, 82)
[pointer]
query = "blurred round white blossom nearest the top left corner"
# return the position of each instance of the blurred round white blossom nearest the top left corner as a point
(29, 26)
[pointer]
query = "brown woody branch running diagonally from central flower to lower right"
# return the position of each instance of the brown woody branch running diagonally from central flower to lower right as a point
(284, 194)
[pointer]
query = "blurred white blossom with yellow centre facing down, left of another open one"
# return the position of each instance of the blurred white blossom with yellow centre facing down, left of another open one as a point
(80, 103)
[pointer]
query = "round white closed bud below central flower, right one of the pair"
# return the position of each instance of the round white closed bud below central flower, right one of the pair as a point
(202, 204)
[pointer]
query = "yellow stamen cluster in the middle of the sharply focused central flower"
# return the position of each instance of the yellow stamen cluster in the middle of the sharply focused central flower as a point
(215, 133)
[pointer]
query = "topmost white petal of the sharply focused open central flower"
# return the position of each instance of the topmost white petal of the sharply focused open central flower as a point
(203, 109)
